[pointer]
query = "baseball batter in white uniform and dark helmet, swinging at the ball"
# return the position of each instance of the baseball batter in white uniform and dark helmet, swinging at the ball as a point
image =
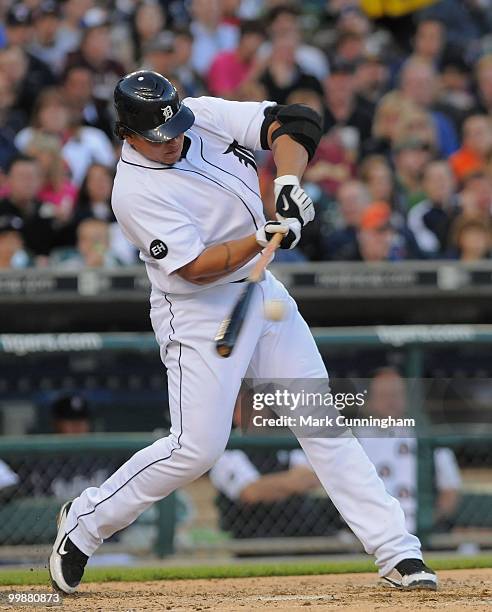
(186, 194)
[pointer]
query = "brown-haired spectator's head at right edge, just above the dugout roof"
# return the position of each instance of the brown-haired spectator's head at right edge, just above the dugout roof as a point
(471, 239)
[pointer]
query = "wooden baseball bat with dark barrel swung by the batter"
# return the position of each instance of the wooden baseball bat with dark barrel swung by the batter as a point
(229, 329)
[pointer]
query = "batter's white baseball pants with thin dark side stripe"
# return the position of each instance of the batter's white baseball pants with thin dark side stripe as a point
(202, 391)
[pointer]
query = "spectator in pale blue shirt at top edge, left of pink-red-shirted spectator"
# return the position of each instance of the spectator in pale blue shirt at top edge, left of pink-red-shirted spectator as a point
(210, 34)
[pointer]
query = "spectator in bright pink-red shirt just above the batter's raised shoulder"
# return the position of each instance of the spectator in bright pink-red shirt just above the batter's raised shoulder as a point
(231, 68)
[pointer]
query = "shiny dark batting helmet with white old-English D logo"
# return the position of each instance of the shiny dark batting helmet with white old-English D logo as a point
(148, 105)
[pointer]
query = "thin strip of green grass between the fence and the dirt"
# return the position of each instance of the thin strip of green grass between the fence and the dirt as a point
(141, 574)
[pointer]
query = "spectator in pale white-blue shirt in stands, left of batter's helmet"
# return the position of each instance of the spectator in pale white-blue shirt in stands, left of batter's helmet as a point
(81, 145)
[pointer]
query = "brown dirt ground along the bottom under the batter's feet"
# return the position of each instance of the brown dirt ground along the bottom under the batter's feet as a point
(461, 590)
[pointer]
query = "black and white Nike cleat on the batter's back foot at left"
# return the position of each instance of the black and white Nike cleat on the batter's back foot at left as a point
(66, 562)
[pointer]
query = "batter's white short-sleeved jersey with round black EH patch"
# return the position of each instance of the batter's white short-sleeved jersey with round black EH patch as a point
(172, 213)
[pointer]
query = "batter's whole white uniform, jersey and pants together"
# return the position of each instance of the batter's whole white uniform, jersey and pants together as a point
(172, 213)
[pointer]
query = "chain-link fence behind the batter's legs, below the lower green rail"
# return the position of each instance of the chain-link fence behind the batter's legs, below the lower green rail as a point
(209, 516)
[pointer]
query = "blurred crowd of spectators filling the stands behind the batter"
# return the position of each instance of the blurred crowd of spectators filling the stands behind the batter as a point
(403, 171)
